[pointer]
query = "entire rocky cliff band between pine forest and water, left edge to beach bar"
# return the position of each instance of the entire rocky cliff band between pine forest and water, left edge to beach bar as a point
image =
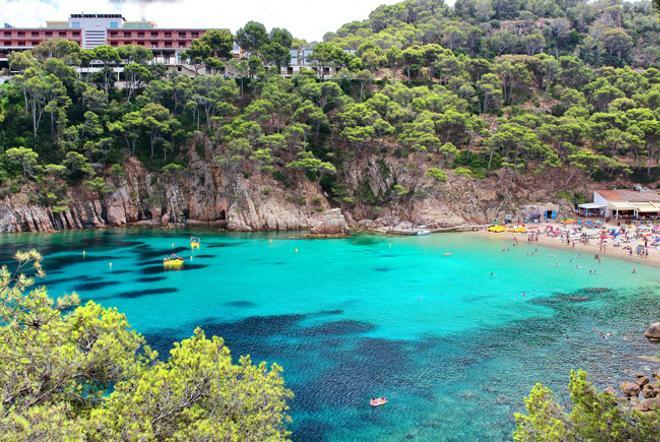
(385, 193)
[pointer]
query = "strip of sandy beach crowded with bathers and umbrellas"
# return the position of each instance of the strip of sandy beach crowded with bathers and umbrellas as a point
(653, 258)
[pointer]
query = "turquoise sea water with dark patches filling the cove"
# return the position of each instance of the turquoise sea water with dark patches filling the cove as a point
(452, 346)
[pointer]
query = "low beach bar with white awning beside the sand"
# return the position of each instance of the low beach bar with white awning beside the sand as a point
(633, 204)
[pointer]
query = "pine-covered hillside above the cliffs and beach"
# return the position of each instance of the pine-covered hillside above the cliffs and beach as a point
(485, 88)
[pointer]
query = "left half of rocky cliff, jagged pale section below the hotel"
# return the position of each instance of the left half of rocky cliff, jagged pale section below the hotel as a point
(201, 195)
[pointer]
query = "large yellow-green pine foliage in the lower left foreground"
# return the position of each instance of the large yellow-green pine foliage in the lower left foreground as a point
(79, 373)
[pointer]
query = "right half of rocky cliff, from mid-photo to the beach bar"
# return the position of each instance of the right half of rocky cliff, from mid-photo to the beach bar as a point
(404, 197)
